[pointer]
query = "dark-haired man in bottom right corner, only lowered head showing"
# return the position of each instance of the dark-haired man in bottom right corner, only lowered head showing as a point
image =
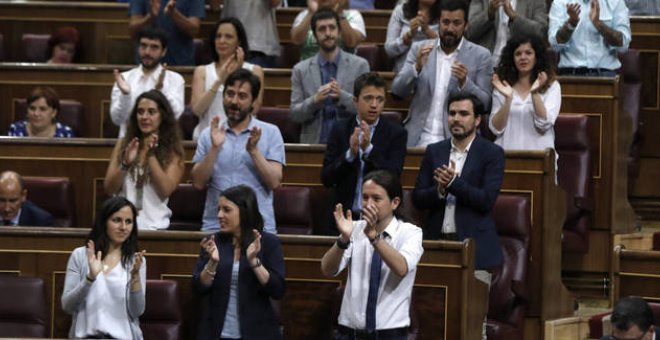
(632, 318)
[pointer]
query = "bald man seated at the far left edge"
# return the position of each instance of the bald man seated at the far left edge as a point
(15, 209)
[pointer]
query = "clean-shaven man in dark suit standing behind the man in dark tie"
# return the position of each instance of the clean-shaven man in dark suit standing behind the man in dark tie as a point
(361, 144)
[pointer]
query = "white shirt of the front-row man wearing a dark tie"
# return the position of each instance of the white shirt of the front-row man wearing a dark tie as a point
(394, 293)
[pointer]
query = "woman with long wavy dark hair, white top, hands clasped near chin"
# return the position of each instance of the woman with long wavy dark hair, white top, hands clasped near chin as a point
(147, 164)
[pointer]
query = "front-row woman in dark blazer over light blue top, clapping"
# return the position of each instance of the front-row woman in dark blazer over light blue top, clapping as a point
(240, 269)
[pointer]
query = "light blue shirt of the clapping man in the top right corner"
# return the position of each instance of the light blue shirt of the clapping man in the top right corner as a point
(587, 47)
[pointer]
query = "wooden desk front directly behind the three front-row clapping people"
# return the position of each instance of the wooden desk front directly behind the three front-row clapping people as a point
(446, 294)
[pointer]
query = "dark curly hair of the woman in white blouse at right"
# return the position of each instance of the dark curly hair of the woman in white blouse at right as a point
(506, 69)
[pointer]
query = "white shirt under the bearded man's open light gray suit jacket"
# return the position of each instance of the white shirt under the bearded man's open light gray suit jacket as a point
(435, 122)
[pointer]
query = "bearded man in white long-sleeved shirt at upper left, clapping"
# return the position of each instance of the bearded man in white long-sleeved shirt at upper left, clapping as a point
(151, 74)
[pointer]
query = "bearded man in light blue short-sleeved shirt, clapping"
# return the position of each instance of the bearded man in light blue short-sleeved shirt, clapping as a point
(240, 150)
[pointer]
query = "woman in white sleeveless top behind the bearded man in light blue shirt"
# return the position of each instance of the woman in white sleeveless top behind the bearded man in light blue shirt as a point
(228, 44)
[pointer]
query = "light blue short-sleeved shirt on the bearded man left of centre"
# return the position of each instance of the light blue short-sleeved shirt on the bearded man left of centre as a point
(234, 166)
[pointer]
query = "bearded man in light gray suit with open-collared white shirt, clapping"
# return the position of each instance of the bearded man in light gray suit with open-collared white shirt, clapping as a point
(437, 68)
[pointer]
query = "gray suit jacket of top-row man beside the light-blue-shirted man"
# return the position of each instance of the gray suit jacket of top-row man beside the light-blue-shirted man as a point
(532, 18)
